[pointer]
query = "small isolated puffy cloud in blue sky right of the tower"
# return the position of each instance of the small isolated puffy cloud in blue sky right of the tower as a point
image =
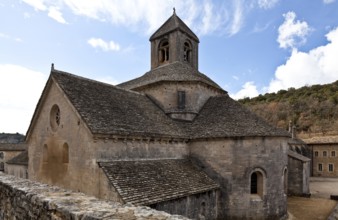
(292, 33)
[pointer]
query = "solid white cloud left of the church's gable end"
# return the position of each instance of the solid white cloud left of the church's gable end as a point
(20, 89)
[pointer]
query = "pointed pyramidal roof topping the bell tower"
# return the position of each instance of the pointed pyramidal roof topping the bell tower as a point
(172, 24)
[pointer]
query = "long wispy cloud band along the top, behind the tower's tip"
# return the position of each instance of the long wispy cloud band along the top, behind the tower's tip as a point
(203, 16)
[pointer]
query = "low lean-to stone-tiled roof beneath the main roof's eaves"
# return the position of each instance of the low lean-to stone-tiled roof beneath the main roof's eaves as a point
(147, 182)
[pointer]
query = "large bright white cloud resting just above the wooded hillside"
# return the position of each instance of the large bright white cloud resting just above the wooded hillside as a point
(318, 66)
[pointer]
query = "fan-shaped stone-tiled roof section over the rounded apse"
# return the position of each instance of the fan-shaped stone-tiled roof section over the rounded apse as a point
(221, 116)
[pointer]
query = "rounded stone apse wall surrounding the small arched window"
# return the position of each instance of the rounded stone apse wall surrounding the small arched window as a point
(231, 162)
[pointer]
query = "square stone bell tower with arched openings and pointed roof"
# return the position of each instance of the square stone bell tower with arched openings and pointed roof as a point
(174, 42)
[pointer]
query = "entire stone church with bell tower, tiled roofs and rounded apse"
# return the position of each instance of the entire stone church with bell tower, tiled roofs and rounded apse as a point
(171, 139)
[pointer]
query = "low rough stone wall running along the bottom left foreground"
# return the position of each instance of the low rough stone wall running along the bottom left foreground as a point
(24, 199)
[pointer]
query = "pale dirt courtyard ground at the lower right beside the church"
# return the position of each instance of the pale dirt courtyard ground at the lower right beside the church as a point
(319, 206)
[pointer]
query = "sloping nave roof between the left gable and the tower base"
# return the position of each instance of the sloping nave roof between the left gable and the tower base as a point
(107, 109)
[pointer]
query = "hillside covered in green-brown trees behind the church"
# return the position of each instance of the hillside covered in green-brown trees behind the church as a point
(313, 109)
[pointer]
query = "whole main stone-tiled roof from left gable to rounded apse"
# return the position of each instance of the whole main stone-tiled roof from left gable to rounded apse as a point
(110, 110)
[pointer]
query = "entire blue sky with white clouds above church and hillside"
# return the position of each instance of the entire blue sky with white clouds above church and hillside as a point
(248, 47)
